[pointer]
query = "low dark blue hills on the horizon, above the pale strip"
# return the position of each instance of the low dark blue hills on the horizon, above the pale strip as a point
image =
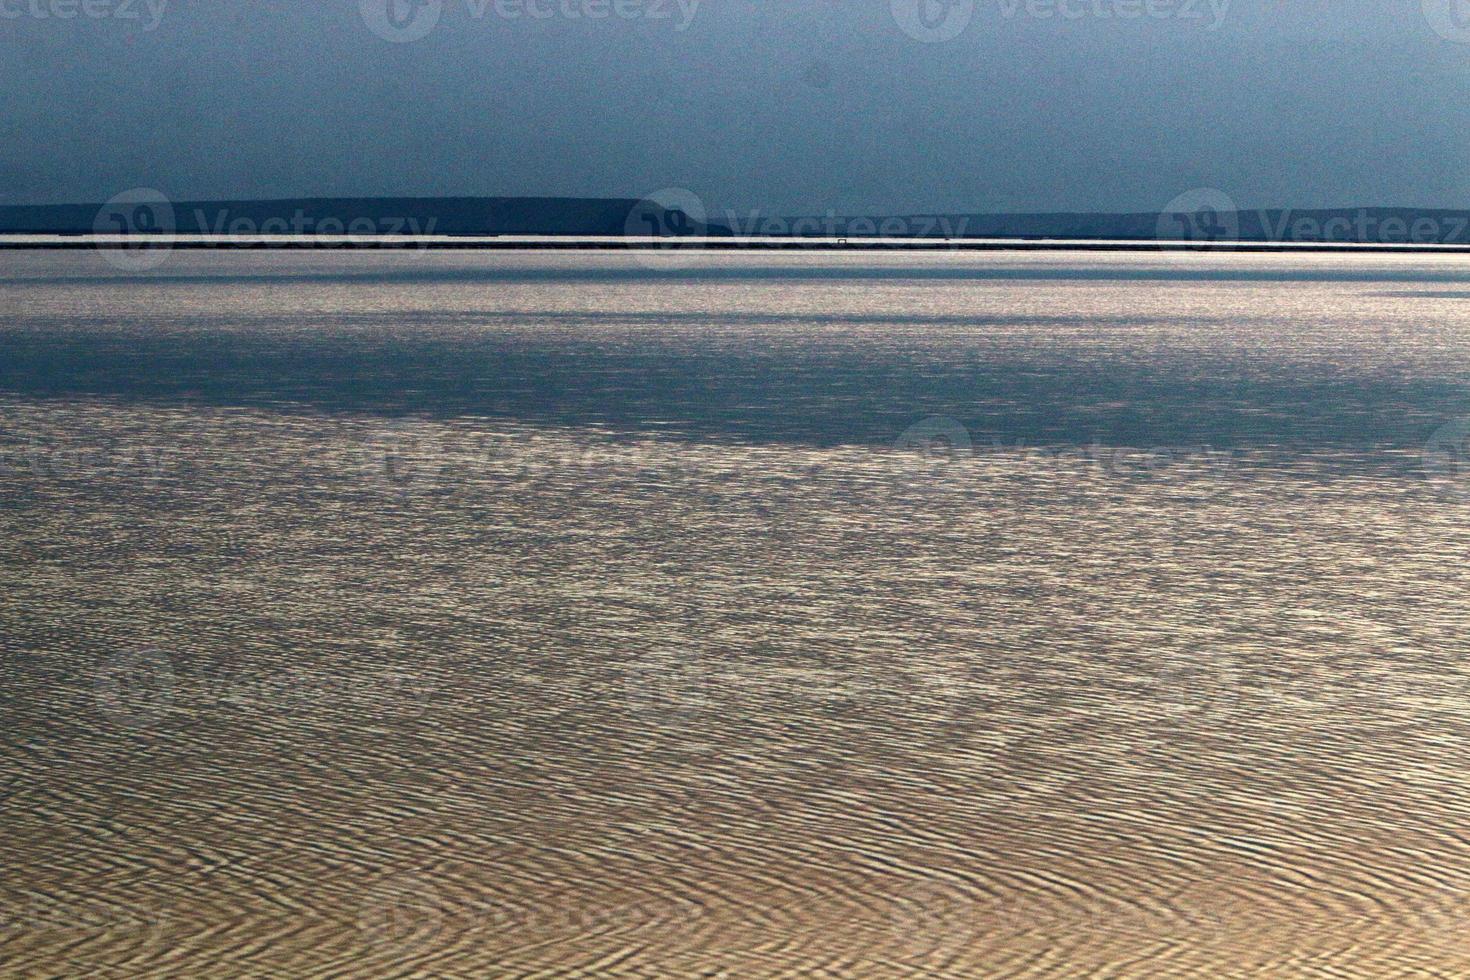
(625, 217)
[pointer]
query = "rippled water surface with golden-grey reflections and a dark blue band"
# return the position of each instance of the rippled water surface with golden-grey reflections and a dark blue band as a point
(528, 615)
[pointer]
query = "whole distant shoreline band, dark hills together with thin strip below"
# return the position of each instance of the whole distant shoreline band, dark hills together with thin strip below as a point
(1199, 220)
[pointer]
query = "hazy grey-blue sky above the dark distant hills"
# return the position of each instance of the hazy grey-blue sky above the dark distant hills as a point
(786, 105)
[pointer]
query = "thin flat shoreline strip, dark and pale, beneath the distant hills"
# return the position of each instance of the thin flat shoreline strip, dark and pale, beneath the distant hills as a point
(581, 243)
